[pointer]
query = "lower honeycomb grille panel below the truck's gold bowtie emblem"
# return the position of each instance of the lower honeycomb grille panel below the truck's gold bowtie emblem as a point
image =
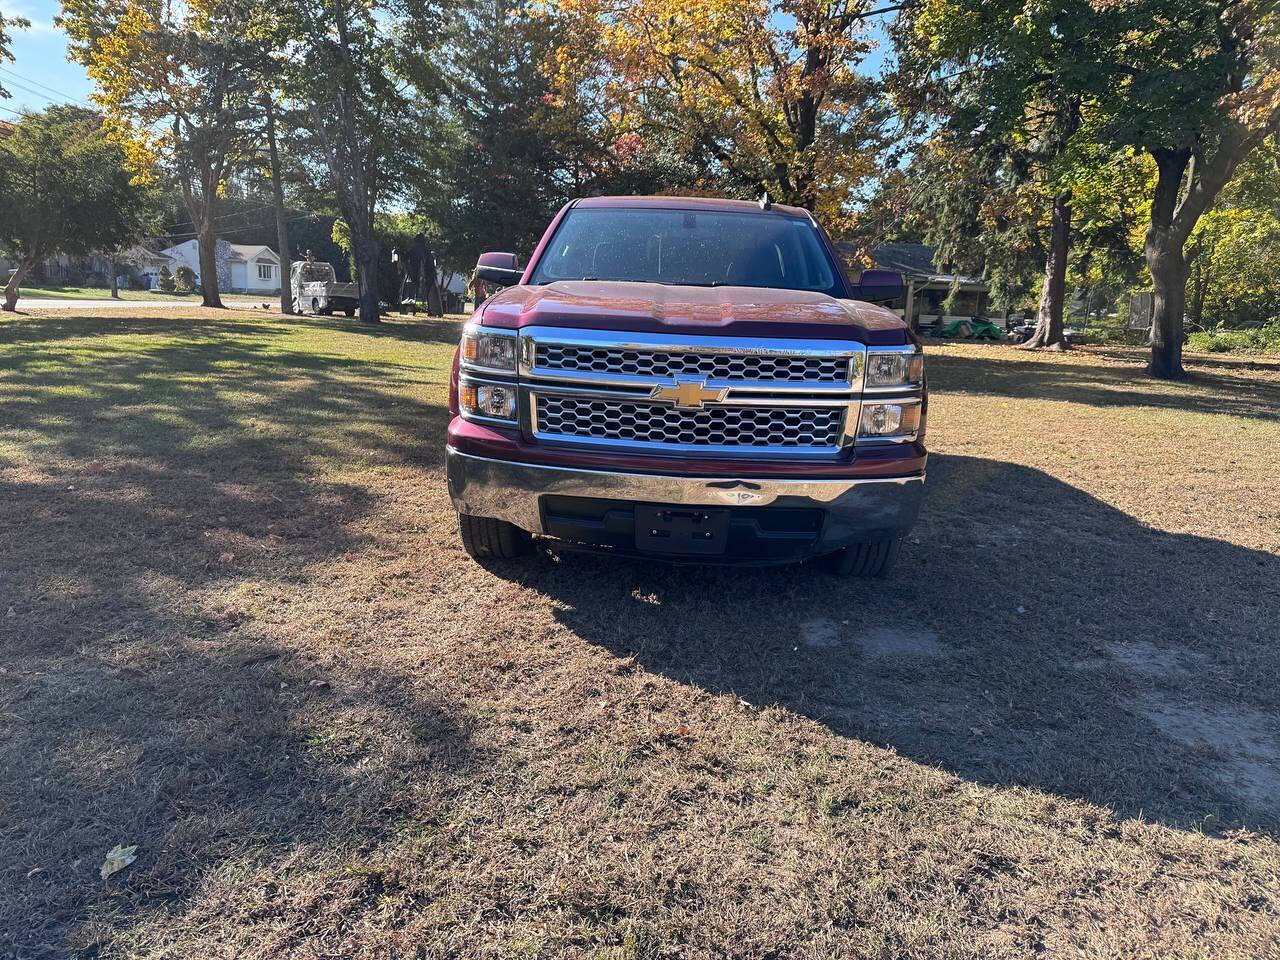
(711, 427)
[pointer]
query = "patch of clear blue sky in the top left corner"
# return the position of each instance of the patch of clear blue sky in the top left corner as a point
(40, 62)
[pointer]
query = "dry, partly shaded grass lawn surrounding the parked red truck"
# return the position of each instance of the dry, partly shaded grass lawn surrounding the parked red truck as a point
(237, 632)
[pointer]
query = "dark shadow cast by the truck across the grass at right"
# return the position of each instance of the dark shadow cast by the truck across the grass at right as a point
(1034, 637)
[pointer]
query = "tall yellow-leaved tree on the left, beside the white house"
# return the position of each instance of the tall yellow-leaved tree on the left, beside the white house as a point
(176, 92)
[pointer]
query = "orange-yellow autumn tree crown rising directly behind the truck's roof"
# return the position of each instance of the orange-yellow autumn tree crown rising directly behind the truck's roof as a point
(767, 93)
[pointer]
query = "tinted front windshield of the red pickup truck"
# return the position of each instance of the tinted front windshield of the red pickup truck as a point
(697, 248)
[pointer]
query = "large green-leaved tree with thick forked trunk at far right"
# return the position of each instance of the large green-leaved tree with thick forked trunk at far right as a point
(1192, 84)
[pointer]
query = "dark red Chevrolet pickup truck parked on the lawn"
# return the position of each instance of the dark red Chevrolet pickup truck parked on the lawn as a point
(688, 380)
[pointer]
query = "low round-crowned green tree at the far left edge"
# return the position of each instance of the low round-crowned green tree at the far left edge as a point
(65, 189)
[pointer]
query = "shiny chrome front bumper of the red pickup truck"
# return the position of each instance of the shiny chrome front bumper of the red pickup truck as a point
(856, 510)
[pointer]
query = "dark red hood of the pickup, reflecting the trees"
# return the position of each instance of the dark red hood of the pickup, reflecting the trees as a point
(716, 312)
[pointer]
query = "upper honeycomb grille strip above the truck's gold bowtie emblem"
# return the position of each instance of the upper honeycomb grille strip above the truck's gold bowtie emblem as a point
(719, 367)
